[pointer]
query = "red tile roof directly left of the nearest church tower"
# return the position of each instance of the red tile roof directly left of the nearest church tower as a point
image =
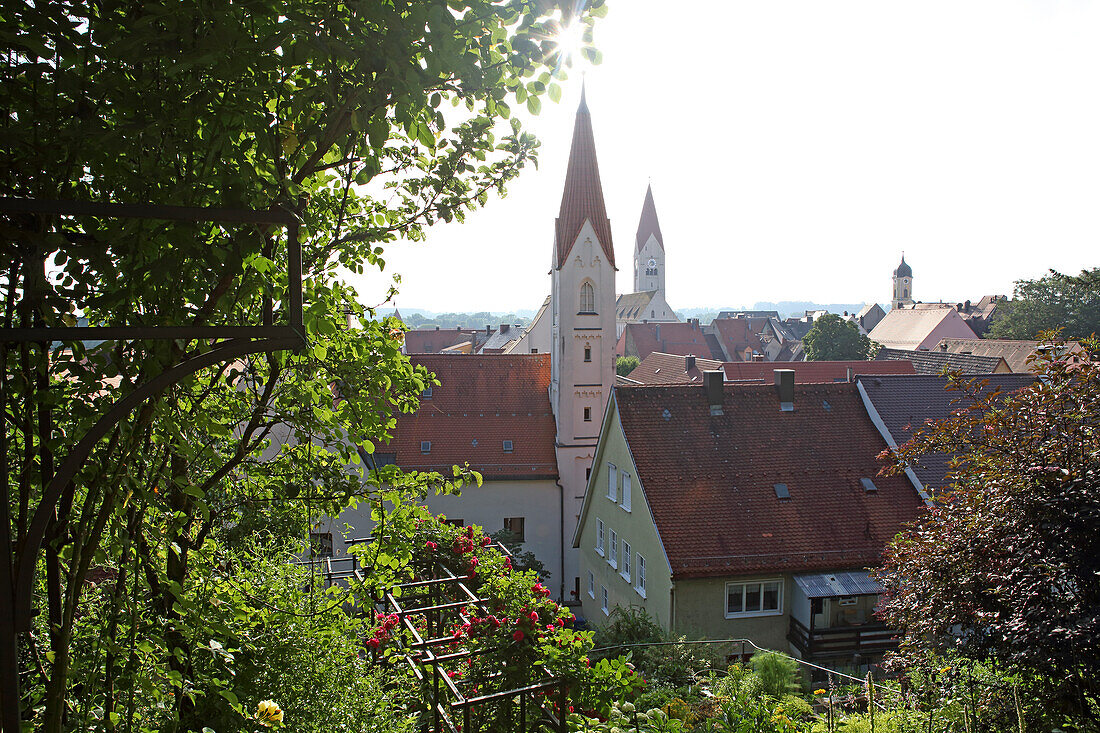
(483, 401)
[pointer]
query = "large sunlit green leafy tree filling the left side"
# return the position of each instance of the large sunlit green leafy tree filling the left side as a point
(332, 112)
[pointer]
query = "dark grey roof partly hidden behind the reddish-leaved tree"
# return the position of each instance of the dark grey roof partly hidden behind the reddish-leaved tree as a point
(906, 403)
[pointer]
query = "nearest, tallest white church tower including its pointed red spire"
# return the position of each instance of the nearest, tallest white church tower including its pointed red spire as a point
(582, 298)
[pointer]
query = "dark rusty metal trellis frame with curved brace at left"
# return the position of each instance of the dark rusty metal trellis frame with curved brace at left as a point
(18, 564)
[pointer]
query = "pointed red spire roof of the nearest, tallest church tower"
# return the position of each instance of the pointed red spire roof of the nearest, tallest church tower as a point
(584, 198)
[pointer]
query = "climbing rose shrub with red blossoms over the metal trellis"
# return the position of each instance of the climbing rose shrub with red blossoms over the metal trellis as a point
(514, 637)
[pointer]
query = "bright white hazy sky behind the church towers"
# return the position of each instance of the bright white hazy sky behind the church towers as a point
(797, 147)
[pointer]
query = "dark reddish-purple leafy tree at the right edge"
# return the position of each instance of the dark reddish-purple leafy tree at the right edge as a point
(1010, 555)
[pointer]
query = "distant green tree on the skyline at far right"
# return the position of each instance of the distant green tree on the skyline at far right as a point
(1052, 302)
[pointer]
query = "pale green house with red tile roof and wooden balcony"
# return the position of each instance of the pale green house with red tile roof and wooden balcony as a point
(743, 511)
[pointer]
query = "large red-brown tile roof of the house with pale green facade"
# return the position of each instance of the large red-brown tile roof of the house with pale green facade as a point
(710, 479)
